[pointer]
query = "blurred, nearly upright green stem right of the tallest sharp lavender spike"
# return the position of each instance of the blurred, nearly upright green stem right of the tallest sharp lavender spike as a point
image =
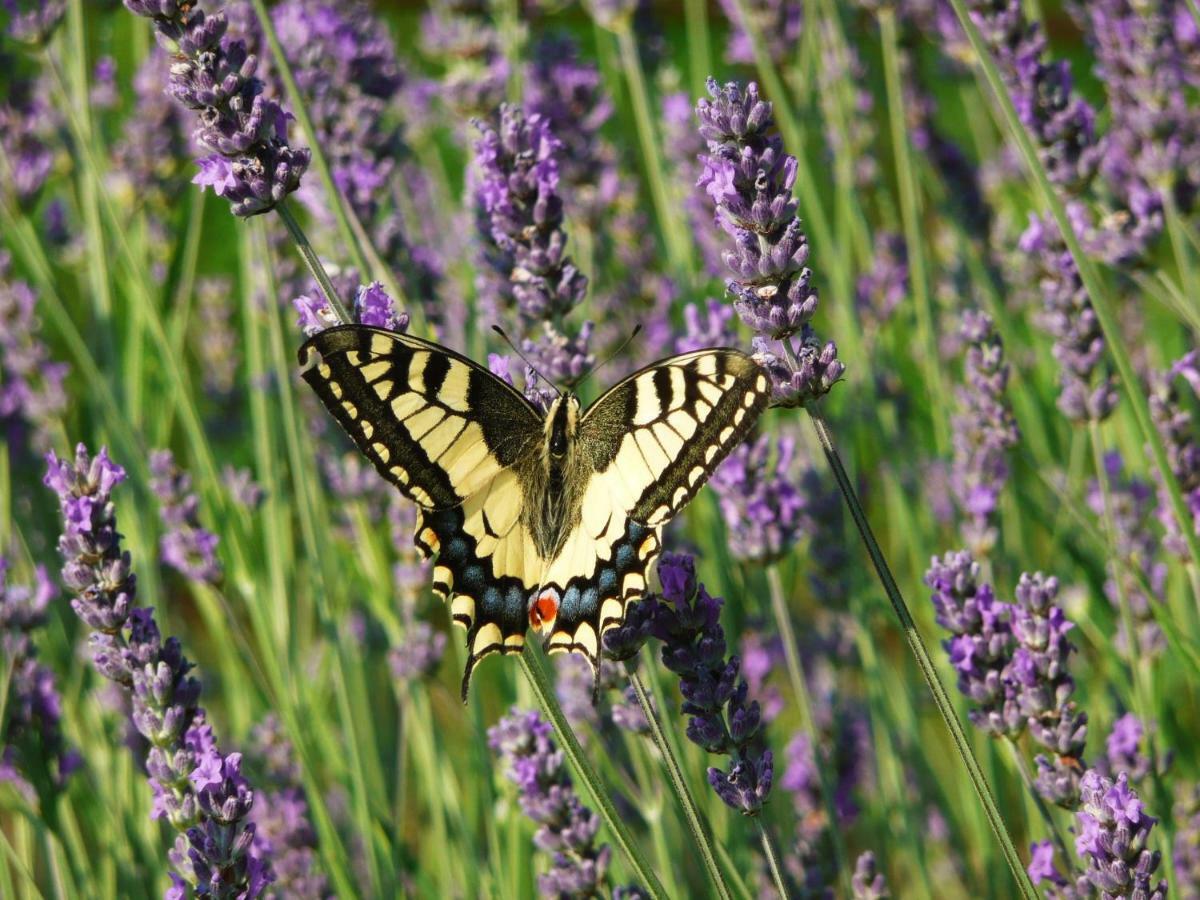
(910, 214)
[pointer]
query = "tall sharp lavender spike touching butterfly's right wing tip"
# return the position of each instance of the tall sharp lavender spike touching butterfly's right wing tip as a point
(749, 177)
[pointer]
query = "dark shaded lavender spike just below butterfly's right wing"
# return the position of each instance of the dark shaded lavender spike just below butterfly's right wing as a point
(687, 619)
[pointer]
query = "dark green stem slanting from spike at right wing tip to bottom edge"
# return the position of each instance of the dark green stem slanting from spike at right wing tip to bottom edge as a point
(913, 637)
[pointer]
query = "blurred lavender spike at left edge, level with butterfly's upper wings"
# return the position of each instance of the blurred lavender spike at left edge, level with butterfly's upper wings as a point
(32, 397)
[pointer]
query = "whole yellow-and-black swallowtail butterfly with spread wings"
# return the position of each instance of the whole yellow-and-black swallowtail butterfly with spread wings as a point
(545, 521)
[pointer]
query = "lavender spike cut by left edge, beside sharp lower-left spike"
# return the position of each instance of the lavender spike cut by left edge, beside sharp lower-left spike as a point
(34, 755)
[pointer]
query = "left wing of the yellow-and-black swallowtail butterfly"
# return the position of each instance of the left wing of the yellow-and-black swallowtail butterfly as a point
(451, 436)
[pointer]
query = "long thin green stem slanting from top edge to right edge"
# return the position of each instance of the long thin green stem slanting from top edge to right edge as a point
(1097, 291)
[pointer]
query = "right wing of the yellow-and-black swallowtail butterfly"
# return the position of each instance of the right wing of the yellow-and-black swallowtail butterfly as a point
(652, 443)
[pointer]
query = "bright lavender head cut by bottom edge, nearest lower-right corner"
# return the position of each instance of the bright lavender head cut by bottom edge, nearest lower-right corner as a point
(1113, 833)
